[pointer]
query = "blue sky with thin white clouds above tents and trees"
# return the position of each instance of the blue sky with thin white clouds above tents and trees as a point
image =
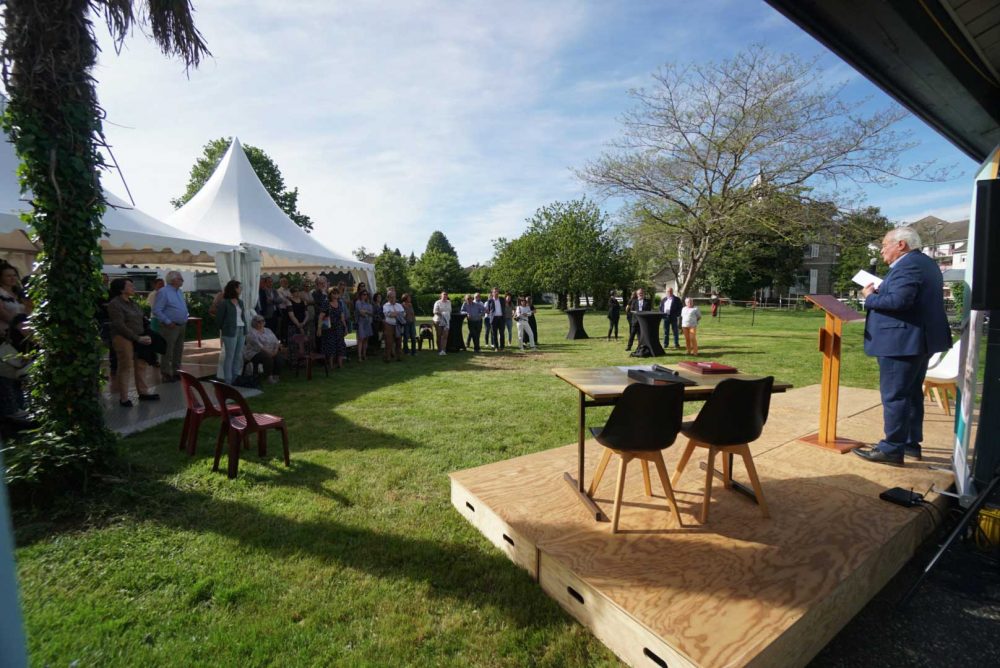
(398, 118)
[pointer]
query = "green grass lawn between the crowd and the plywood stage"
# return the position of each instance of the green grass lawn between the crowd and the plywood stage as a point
(353, 556)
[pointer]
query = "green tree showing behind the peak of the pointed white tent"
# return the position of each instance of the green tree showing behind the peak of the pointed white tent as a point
(263, 166)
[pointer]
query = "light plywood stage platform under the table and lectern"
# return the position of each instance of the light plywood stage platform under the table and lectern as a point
(741, 590)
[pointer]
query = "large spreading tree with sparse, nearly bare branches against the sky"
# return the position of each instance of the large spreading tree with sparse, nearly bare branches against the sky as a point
(709, 142)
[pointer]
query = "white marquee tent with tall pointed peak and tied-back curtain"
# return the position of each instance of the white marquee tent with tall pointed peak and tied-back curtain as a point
(233, 207)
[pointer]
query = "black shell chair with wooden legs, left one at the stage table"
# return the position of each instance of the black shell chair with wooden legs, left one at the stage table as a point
(644, 421)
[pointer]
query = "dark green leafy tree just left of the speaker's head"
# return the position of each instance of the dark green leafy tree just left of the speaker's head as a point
(858, 236)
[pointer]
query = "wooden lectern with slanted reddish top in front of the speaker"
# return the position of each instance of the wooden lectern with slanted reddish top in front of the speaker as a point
(829, 343)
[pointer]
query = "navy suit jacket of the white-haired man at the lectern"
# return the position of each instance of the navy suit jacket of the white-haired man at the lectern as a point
(906, 316)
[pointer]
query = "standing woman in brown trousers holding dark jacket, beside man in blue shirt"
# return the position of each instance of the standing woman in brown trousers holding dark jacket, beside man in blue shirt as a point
(127, 332)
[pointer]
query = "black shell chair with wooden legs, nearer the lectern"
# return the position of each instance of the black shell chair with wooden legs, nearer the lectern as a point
(730, 420)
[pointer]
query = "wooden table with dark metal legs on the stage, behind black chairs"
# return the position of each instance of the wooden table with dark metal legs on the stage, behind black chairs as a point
(603, 386)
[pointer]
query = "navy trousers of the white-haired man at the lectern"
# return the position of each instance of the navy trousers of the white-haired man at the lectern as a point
(901, 385)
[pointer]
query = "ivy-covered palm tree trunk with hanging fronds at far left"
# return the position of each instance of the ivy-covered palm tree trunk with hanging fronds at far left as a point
(54, 121)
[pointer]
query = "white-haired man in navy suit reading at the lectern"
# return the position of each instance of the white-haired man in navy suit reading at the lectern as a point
(905, 324)
